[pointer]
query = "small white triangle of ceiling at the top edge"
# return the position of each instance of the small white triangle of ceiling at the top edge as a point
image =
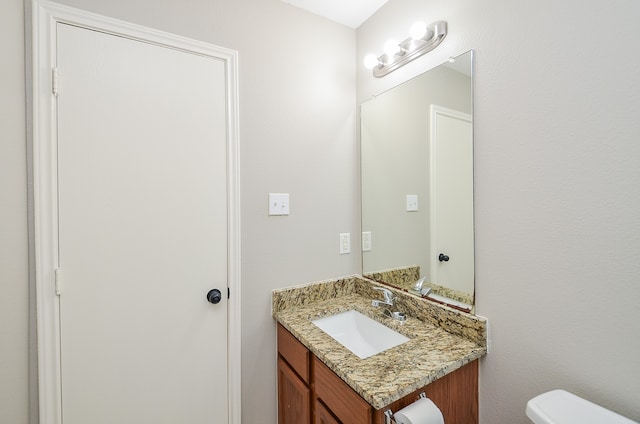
(347, 12)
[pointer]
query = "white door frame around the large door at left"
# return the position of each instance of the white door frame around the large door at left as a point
(41, 17)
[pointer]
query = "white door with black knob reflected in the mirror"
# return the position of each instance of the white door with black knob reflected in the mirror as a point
(452, 260)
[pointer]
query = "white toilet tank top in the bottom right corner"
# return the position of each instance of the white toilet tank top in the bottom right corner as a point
(562, 407)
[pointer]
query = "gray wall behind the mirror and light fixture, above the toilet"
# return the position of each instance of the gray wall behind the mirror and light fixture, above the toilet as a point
(557, 168)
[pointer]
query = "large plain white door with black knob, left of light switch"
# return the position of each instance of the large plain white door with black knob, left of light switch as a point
(142, 207)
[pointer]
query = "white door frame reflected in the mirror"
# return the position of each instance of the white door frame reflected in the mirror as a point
(434, 111)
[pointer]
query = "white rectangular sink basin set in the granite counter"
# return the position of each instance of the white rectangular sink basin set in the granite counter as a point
(359, 333)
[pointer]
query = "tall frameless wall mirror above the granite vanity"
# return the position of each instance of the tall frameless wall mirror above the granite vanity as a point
(417, 184)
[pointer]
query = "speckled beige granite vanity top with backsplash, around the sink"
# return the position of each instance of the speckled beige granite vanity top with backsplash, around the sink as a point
(442, 339)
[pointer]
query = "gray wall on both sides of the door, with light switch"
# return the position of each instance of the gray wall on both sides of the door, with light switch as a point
(297, 135)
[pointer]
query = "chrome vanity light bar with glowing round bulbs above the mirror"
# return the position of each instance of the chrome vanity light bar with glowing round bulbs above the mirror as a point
(423, 39)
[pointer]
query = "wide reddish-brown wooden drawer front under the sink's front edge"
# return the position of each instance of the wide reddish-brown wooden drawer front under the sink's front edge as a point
(341, 399)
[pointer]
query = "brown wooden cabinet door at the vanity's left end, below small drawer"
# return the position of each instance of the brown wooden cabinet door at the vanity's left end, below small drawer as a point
(293, 397)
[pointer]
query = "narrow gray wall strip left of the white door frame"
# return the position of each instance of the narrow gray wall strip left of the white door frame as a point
(14, 304)
